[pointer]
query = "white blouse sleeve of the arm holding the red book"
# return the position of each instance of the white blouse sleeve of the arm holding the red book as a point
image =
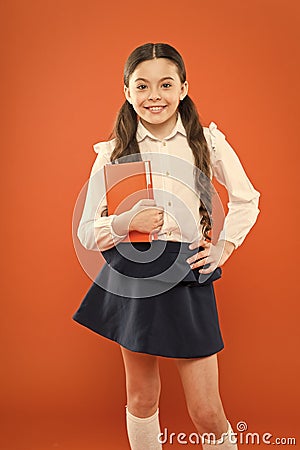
(95, 232)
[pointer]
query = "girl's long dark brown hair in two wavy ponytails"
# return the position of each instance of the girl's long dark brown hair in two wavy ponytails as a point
(125, 127)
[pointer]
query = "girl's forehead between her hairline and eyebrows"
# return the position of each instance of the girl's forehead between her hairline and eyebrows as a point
(155, 69)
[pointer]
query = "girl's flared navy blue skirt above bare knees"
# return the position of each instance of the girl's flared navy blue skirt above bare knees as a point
(147, 299)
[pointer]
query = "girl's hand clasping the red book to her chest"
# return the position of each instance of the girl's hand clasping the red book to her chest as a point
(147, 217)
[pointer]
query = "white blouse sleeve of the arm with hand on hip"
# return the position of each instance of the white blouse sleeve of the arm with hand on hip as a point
(243, 198)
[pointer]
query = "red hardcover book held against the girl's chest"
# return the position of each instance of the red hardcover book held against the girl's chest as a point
(126, 184)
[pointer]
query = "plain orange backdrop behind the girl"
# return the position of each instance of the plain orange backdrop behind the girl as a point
(63, 386)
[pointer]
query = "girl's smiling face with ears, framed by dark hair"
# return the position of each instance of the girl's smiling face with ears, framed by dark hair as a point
(155, 91)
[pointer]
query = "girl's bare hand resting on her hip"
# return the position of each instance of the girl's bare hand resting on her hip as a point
(215, 255)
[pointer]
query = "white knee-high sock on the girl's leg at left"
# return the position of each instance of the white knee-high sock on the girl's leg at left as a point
(143, 431)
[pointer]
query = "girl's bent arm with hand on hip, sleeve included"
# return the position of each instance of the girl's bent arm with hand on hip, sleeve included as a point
(242, 206)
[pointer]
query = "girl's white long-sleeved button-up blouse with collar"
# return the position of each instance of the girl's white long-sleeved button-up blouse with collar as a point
(172, 164)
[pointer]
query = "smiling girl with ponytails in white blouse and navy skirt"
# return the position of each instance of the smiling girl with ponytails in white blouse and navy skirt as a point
(138, 300)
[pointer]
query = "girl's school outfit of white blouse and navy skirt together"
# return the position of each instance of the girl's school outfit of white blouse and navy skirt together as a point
(146, 297)
